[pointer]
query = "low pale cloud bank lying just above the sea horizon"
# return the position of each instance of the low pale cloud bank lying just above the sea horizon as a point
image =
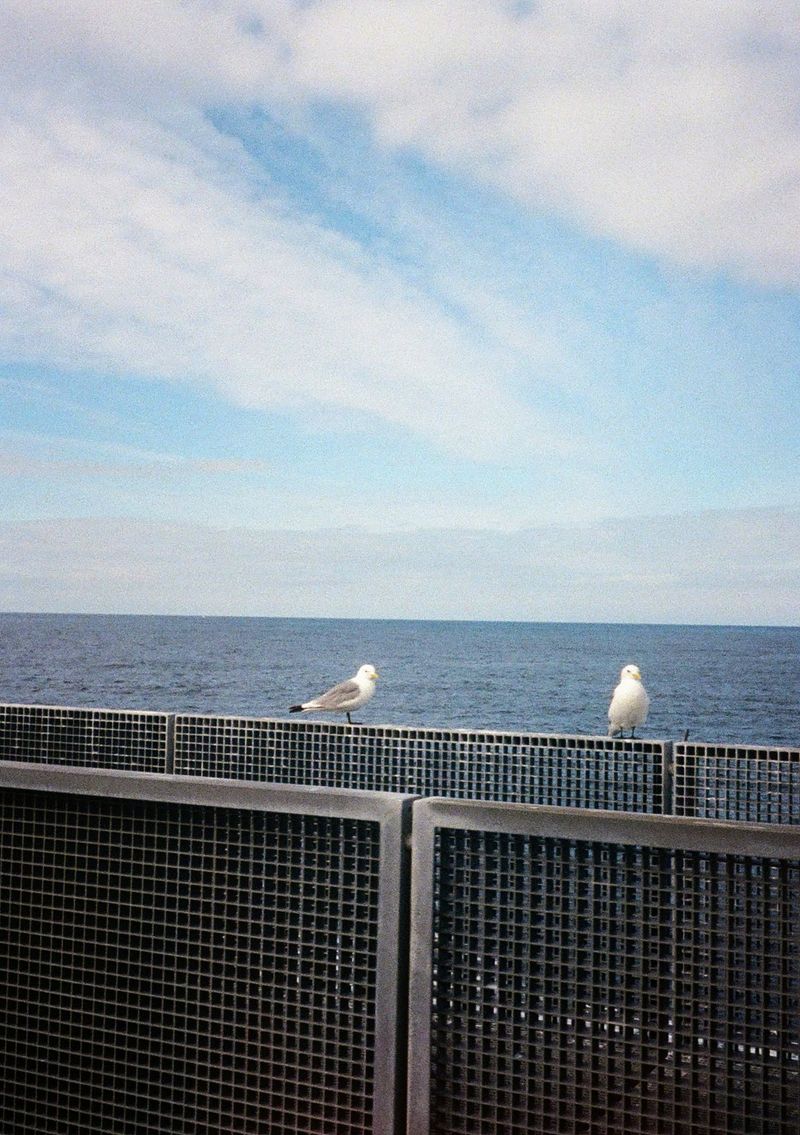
(705, 568)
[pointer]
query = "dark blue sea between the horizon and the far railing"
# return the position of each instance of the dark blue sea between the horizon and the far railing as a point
(737, 685)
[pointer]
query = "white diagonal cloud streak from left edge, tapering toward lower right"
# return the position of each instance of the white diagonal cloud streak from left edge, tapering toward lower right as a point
(133, 250)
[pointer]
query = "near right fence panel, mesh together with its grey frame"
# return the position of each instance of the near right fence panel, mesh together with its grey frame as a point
(577, 973)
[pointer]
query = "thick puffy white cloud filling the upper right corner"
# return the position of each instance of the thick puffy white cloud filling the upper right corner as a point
(672, 129)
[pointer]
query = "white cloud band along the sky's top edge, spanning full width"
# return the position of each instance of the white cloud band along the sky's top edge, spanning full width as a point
(672, 128)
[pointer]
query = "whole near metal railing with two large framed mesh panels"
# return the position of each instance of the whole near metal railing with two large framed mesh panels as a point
(186, 954)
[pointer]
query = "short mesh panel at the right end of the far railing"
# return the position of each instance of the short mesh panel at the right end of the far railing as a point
(735, 783)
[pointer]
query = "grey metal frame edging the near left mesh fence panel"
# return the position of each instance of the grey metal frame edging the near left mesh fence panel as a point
(392, 812)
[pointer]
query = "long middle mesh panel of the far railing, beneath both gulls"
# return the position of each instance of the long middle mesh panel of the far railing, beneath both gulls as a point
(570, 771)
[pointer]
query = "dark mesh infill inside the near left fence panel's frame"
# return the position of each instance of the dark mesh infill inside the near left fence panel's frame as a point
(182, 969)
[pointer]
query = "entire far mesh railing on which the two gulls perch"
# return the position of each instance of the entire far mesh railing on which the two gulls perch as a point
(654, 777)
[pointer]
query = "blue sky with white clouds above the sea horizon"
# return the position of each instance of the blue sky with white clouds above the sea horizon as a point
(471, 310)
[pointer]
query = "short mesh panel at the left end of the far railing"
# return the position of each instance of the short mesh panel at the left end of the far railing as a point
(95, 738)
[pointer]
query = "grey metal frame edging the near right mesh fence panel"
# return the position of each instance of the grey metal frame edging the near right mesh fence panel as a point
(637, 829)
